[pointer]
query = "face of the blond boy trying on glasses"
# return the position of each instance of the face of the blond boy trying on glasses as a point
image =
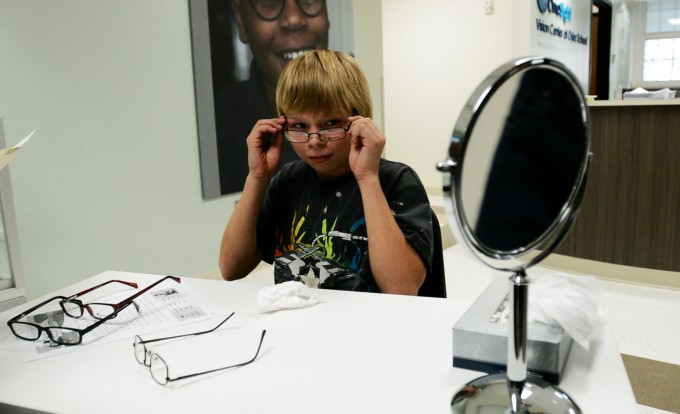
(329, 159)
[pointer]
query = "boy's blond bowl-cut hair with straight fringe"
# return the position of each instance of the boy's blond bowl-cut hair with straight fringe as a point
(323, 82)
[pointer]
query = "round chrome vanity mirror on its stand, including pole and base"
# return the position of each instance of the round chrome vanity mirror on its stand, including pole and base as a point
(513, 182)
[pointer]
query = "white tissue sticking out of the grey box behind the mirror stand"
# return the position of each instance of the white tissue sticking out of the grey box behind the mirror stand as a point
(568, 301)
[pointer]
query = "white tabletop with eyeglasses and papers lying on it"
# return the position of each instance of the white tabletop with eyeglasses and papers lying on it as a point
(352, 353)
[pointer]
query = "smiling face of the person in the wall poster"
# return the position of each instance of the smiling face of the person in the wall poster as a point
(276, 42)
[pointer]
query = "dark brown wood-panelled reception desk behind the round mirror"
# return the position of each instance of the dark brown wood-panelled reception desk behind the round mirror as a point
(630, 213)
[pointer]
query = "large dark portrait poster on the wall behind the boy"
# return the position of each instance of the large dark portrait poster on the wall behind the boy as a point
(239, 49)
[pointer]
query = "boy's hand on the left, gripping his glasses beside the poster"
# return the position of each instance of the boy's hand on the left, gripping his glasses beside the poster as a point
(265, 144)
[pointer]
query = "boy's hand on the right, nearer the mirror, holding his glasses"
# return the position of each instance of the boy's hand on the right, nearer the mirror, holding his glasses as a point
(366, 147)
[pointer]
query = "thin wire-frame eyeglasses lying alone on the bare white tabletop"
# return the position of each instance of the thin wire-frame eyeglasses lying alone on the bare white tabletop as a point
(159, 368)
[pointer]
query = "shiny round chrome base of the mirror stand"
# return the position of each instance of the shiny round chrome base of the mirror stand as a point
(491, 394)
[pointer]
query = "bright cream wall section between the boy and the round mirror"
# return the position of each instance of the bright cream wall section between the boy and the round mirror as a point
(435, 53)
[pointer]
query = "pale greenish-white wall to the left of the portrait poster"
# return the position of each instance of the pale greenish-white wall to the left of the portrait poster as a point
(111, 180)
